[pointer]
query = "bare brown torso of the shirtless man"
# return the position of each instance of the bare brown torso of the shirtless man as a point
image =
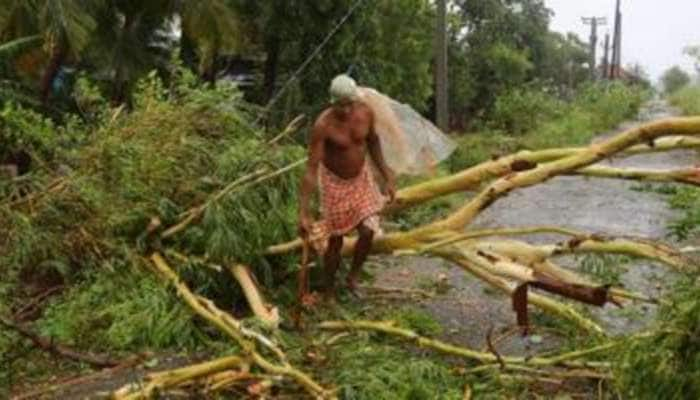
(345, 139)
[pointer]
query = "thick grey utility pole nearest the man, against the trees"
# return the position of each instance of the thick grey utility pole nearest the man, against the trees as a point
(441, 101)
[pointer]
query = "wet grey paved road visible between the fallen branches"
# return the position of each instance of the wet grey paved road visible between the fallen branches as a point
(587, 204)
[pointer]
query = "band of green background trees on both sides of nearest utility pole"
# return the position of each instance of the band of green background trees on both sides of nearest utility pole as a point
(495, 47)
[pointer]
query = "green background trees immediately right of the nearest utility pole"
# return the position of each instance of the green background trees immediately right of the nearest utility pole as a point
(507, 48)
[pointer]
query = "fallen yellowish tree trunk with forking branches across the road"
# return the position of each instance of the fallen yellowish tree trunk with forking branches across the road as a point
(508, 264)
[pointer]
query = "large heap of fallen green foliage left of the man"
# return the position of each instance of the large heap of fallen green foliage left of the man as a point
(176, 149)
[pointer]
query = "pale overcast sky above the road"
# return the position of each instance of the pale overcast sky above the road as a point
(654, 32)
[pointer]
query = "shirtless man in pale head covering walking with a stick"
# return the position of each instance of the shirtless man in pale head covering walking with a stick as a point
(341, 138)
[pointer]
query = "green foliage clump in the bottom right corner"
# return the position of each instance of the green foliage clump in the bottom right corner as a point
(666, 364)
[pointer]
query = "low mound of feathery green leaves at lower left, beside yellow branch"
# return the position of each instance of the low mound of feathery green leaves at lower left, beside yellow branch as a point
(141, 313)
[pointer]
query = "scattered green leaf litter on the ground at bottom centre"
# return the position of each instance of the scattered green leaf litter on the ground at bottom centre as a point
(368, 366)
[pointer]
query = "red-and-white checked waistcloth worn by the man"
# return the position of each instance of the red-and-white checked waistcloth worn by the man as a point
(345, 203)
